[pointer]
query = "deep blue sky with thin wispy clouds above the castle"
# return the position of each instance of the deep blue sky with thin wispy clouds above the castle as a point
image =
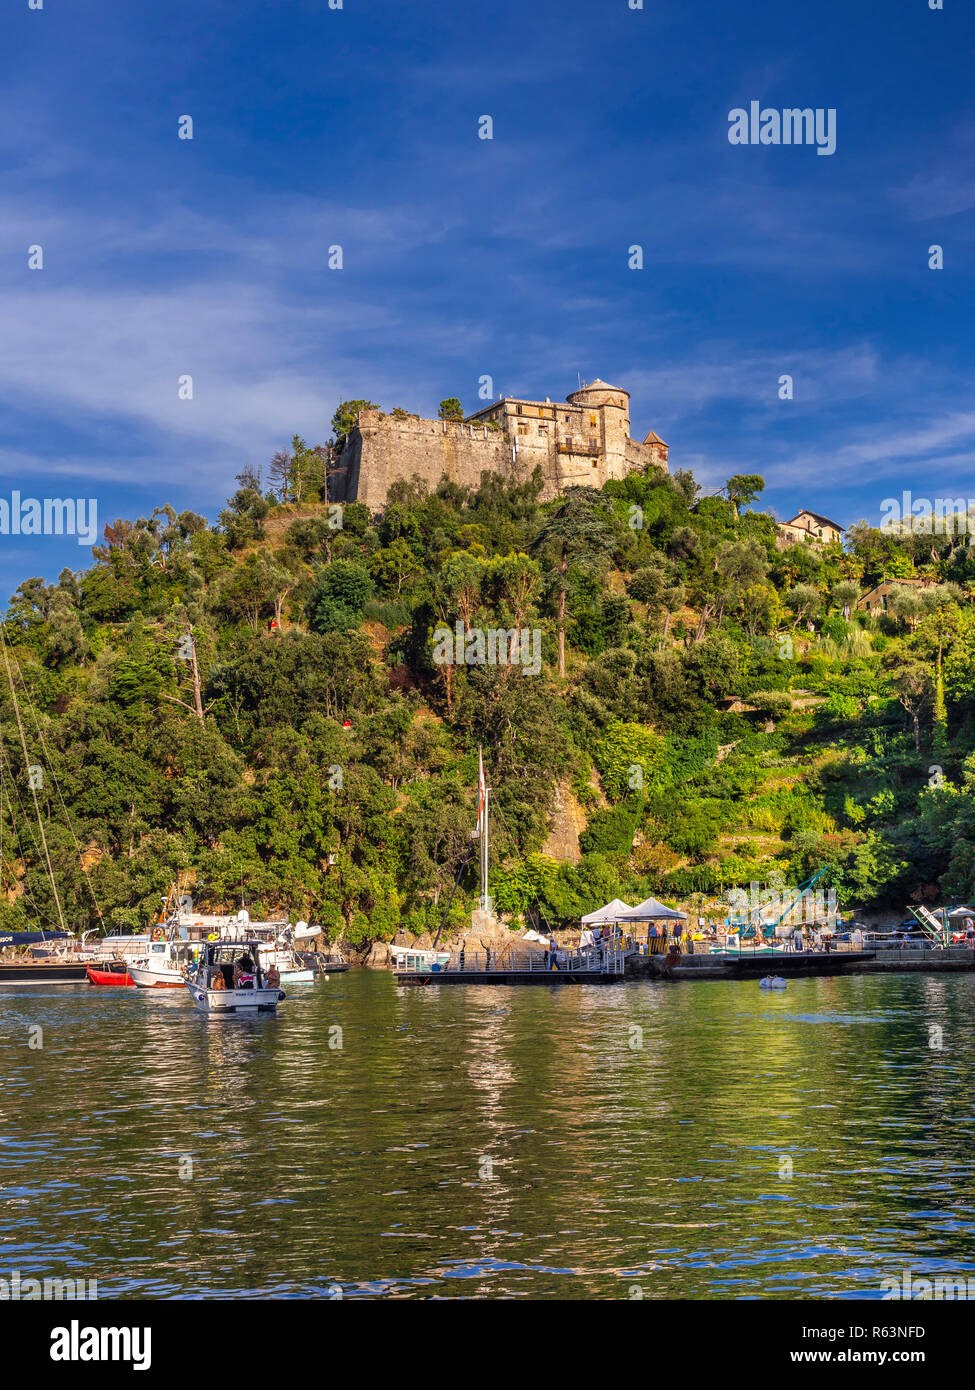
(467, 258)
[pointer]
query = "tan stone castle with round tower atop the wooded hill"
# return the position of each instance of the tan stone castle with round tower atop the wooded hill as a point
(581, 441)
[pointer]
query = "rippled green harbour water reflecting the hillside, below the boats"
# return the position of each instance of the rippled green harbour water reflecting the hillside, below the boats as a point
(493, 1143)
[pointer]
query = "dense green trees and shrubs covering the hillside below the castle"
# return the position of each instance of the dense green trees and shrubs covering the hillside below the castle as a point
(257, 704)
